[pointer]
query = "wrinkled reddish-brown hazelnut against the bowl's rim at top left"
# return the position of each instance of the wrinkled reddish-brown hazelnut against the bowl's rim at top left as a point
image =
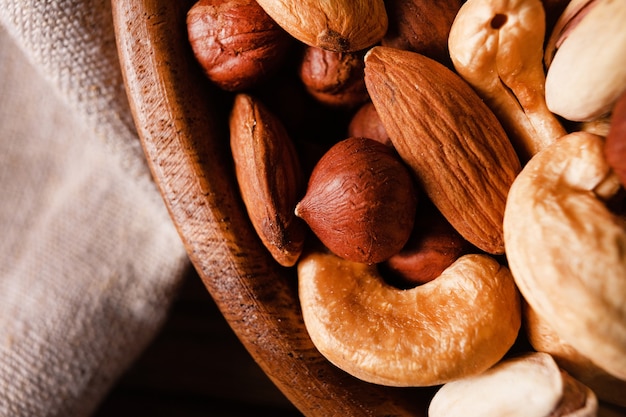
(237, 44)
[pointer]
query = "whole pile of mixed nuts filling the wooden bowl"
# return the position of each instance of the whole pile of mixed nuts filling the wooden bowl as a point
(466, 172)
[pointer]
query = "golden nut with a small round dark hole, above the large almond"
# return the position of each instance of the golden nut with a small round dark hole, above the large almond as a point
(497, 47)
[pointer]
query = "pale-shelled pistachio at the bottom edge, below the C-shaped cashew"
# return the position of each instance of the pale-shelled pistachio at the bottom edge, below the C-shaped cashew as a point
(527, 385)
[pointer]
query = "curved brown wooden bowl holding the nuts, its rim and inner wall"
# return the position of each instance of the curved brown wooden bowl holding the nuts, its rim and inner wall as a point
(182, 123)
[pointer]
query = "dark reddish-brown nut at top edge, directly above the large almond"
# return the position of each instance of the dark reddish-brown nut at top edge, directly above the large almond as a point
(421, 26)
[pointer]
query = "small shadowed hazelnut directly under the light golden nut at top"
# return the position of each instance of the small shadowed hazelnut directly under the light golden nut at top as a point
(334, 78)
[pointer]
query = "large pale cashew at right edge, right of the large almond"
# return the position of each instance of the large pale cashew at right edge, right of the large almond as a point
(567, 251)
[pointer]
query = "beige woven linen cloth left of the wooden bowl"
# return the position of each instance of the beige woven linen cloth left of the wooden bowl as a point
(89, 259)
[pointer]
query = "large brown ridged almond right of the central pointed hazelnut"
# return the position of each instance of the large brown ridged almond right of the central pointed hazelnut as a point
(456, 147)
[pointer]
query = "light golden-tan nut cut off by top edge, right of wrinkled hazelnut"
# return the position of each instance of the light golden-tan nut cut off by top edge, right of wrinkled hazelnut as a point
(340, 25)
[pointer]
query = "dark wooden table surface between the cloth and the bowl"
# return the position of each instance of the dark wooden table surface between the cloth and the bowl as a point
(196, 366)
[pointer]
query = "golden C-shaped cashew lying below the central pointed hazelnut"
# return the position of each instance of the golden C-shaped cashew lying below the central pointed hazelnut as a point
(457, 325)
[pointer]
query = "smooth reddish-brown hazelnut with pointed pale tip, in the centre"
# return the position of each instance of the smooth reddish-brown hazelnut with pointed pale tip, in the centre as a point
(360, 201)
